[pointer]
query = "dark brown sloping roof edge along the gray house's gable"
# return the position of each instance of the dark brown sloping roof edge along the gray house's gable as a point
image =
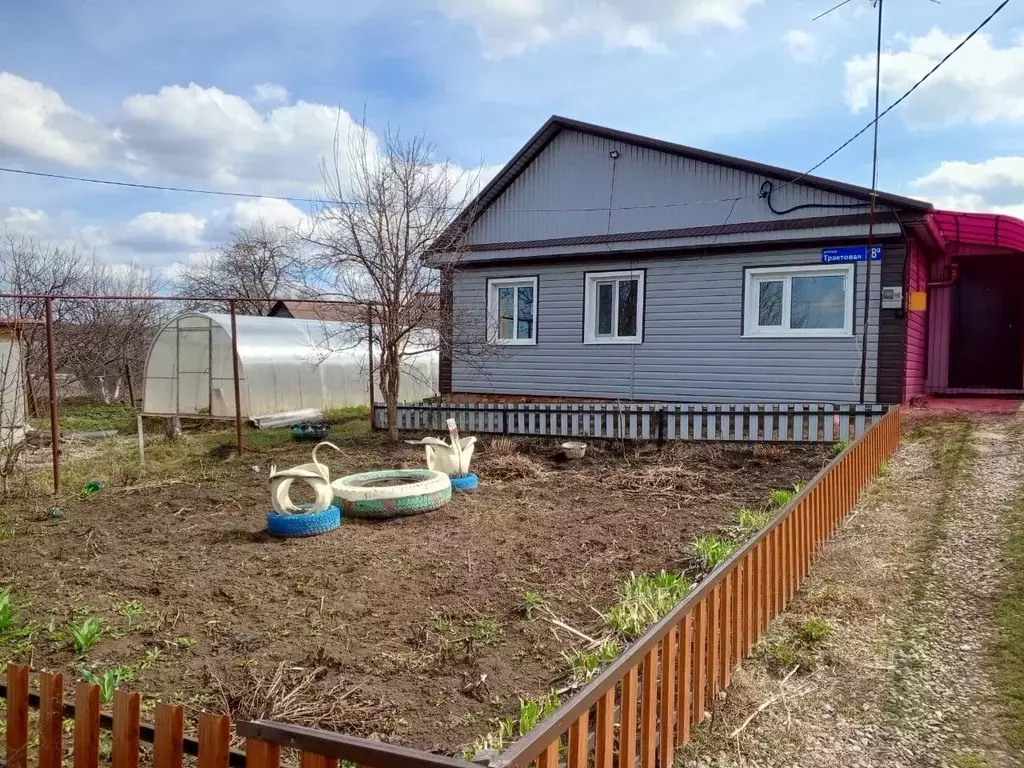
(556, 124)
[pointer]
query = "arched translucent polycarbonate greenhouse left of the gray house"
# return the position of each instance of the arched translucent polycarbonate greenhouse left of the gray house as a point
(285, 366)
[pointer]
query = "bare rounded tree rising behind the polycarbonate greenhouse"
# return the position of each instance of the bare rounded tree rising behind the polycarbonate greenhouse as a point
(262, 262)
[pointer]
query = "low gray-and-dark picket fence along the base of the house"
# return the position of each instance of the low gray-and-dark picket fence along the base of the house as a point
(755, 423)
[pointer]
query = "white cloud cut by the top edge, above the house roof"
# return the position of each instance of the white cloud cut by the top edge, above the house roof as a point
(513, 27)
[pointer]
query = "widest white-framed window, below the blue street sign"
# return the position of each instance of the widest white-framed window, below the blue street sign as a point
(799, 302)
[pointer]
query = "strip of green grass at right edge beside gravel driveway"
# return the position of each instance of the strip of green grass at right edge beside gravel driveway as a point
(1009, 667)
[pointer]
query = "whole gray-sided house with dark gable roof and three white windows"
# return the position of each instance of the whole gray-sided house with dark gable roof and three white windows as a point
(608, 266)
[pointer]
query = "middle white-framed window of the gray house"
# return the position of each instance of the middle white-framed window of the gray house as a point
(614, 308)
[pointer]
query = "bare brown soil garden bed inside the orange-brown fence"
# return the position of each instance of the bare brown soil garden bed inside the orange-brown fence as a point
(413, 630)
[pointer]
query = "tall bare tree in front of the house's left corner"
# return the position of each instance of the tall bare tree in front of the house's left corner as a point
(388, 201)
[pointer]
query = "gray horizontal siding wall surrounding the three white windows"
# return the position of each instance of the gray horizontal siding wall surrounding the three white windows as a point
(694, 349)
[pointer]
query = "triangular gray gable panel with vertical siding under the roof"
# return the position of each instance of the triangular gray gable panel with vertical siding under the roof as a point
(575, 173)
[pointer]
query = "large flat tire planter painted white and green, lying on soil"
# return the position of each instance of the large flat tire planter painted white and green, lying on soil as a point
(393, 493)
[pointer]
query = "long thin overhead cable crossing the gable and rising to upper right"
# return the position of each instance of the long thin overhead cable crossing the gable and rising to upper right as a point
(312, 201)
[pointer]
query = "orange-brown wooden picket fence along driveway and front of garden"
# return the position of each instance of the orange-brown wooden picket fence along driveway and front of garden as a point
(633, 715)
